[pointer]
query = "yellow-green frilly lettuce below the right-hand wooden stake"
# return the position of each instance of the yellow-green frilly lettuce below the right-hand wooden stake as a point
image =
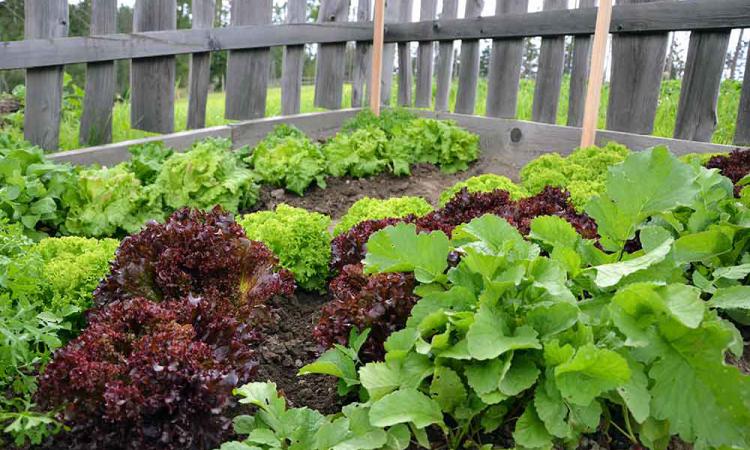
(582, 173)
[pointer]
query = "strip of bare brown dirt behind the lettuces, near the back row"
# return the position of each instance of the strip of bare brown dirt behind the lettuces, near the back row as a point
(426, 181)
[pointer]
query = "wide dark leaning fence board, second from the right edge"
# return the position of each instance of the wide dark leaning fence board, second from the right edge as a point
(696, 114)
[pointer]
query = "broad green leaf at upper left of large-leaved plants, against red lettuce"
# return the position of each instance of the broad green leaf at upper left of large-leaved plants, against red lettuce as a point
(401, 249)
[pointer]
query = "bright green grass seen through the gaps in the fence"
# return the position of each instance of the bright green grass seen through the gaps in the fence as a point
(664, 123)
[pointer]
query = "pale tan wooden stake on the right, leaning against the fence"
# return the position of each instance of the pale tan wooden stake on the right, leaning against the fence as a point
(596, 75)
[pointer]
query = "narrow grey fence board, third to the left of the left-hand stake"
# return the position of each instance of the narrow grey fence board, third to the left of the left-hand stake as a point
(294, 61)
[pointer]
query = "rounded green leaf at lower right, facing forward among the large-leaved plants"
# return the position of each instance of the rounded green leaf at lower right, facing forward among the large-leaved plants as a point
(590, 373)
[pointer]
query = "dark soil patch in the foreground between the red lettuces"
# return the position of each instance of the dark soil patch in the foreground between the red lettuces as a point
(288, 345)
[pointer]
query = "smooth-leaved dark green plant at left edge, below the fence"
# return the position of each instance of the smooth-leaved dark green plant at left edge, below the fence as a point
(33, 191)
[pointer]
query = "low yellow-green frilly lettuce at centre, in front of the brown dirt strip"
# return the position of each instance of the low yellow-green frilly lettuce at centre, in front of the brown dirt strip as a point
(374, 208)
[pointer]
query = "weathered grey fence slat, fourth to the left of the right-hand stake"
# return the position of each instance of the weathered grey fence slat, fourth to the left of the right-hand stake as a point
(468, 73)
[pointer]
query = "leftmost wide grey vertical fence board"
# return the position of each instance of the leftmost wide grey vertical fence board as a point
(44, 19)
